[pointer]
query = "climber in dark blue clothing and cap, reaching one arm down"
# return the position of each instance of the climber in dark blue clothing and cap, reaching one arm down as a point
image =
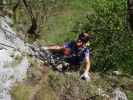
(76, 52)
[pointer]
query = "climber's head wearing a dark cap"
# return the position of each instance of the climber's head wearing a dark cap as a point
(84, 38)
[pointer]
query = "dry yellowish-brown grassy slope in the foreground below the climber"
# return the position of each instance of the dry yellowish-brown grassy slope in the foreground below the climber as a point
(57, 86)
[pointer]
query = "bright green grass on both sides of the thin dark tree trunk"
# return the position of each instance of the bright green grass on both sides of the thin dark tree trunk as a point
(57, 27)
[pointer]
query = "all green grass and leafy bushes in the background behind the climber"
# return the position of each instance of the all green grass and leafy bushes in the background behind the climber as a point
(61, 21)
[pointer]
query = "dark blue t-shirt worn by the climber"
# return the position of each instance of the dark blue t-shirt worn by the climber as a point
(77, 54)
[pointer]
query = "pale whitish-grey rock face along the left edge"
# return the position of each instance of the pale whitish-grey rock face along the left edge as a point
(13, 62)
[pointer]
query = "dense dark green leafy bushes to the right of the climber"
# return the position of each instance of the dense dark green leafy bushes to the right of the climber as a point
(113, 44)
